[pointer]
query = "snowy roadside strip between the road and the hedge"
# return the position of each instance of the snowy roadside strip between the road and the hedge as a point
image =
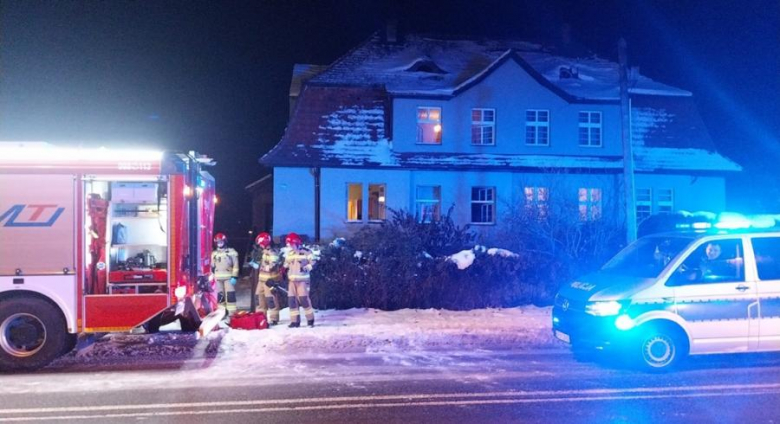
(350, 331)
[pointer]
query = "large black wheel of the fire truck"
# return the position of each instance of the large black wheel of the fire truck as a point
(32, 334)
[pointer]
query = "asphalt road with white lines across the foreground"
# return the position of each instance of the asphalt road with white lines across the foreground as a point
(430, 387)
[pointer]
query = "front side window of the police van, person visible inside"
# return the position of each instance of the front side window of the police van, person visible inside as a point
(719, 261)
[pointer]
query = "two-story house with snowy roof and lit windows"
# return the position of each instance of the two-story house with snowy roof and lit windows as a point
(429, 124)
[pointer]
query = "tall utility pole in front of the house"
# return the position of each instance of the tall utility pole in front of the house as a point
(628, 152)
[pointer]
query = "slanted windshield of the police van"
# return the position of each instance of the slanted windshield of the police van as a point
(647, 257)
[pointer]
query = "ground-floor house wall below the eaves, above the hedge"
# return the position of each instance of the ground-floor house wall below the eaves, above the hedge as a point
(295, 212)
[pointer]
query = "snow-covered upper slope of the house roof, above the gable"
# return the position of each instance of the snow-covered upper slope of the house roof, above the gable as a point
(451, 64)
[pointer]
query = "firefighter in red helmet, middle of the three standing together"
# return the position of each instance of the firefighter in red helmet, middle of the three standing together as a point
(268, 262)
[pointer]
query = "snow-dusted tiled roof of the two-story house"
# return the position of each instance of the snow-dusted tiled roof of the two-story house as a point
(343, 114)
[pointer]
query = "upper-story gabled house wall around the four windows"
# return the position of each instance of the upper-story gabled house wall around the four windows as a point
(510, 91)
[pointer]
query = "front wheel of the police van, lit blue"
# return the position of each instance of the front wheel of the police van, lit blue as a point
(662, 347)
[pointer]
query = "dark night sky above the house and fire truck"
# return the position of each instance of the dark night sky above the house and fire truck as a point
(214, 76)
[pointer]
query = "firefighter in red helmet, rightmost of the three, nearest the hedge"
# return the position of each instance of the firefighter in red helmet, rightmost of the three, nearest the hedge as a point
(298, 261)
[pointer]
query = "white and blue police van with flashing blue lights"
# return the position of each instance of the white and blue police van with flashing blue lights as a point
(713, 288)
